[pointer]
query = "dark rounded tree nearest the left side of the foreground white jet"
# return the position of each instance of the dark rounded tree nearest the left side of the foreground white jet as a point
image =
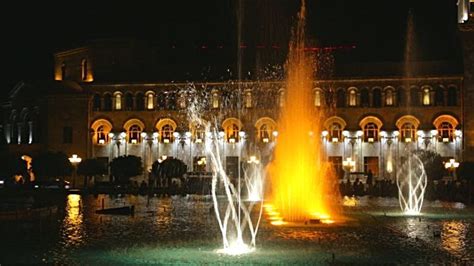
(169, 169)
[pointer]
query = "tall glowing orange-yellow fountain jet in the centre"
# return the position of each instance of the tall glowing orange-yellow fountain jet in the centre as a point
(300, 176)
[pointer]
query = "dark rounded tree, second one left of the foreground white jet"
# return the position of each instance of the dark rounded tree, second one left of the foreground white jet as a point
(124, 167)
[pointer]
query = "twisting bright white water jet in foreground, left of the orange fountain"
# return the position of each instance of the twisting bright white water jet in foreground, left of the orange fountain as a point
(233, 214)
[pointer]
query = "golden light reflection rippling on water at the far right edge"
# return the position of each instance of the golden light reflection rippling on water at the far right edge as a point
(453, 236)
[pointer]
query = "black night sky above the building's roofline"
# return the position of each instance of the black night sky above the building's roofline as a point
(32, 32)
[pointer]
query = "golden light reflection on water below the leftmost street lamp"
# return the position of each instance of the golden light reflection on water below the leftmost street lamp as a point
(72, 227)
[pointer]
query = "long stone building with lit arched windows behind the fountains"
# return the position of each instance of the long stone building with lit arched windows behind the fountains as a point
(89, 110)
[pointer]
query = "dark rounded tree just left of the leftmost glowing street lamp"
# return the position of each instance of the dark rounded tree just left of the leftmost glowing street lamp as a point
(51, 165)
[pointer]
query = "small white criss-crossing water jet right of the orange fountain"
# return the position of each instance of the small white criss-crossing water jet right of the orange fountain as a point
(411, 182)
